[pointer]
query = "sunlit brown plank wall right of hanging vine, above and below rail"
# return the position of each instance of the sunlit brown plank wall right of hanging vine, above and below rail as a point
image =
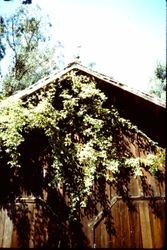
(139, 226)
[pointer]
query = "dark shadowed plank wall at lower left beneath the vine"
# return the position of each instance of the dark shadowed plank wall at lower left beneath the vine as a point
(38, 215)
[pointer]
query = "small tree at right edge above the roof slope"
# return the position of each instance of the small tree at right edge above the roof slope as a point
(157, 85)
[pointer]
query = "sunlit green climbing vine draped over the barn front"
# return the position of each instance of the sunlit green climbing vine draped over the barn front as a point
(85, 138)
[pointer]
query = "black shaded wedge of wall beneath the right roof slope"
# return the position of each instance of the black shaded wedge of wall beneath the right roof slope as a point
(149, 117)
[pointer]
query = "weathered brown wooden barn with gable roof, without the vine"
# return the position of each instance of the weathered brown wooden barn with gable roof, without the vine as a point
(39, 220)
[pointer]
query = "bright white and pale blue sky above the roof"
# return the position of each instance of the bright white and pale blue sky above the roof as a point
(125, 38)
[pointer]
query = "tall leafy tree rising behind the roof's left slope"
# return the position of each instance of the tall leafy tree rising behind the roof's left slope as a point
(27, 35)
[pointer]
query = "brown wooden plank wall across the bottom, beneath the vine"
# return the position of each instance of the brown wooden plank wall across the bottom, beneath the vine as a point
(138, 219)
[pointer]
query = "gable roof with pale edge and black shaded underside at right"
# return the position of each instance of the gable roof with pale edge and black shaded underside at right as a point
(142, 109)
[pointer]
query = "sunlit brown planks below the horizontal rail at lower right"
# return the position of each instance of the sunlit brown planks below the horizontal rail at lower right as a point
(133, 229)
